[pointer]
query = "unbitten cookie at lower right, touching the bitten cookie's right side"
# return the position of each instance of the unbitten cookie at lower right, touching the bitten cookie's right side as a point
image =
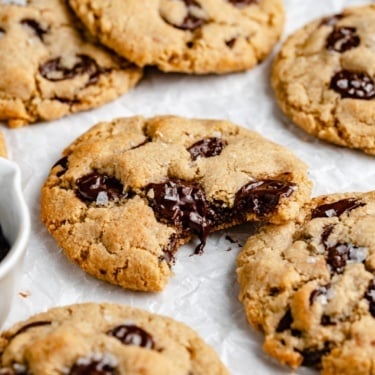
(309, 285)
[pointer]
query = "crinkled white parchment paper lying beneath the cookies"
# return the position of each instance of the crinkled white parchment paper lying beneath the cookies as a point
(203, 292)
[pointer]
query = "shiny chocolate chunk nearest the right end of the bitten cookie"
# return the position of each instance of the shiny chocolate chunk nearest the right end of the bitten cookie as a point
(262, 197)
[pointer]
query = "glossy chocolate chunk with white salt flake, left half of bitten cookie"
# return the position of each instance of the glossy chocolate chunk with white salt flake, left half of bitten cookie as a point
(100, 188)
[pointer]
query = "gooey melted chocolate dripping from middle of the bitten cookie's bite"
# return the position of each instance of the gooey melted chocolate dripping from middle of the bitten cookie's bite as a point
(183, 204)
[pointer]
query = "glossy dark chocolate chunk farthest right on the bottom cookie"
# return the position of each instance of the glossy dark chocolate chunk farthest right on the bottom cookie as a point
(133, 335)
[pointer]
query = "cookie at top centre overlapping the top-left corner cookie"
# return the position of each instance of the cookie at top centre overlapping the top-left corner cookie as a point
(191, 36)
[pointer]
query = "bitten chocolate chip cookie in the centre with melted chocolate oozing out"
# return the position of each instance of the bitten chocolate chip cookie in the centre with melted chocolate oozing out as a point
(127, 193)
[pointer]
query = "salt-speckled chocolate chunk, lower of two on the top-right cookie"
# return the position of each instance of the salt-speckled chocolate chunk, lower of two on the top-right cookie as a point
(353, 85)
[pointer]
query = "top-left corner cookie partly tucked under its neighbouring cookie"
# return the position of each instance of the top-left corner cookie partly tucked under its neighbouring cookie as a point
(49, 67)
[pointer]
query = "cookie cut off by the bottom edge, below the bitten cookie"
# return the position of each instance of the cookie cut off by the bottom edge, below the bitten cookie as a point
(105, 339)
